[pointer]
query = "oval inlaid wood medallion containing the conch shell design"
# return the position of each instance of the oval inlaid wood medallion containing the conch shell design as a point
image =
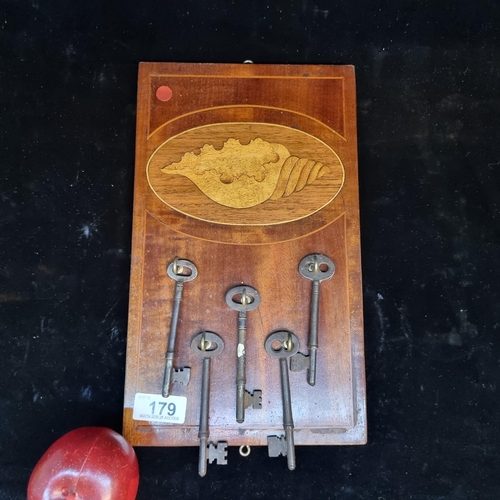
(246, 173)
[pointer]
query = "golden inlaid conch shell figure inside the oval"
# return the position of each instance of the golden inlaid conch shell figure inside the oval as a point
(244, 175)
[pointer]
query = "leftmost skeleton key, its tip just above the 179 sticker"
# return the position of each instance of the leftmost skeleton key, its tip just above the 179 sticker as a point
(181, 271)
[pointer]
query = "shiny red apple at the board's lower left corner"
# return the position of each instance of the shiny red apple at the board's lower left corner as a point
(90, 463)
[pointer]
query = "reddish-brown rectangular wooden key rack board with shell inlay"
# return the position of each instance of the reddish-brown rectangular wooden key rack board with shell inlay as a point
(243, 170)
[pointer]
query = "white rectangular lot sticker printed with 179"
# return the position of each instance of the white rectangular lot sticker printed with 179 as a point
(156, 408)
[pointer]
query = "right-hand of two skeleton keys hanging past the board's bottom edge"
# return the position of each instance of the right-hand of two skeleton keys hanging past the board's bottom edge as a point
(283, 344)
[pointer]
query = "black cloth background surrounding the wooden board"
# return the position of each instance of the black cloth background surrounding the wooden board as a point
(429, 154)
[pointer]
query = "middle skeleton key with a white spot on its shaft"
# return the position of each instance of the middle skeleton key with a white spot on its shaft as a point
(242, 299)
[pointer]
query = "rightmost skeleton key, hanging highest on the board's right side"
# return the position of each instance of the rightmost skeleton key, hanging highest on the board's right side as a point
(318, 268)
